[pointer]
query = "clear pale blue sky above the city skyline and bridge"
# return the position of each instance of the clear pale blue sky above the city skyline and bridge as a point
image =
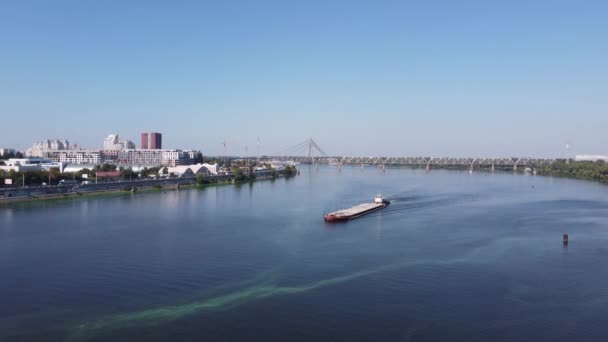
(369, 78)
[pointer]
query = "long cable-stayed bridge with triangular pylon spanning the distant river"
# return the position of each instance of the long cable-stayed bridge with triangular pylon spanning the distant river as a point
(309, 152)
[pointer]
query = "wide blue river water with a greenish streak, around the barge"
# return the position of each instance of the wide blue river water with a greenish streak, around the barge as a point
(455, 257)
